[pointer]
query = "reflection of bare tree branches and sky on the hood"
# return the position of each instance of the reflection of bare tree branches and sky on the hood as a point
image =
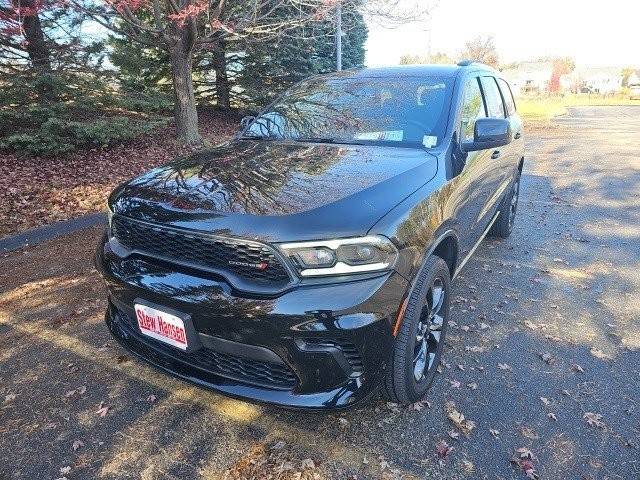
(268, 178)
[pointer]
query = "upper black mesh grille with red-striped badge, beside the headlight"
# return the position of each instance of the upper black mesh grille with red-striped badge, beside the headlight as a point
(201, 251)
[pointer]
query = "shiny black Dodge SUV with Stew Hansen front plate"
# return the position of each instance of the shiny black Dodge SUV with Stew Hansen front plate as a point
(309, 260)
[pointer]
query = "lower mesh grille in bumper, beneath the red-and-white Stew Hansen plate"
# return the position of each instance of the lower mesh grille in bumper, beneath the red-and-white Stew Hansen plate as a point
(245, 370)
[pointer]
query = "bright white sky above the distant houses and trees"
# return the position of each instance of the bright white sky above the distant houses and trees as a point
(602, 33)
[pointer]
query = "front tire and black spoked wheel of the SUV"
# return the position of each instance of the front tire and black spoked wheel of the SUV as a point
(403, 384)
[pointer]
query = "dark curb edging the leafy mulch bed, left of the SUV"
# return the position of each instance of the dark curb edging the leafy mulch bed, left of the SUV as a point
(48, 232)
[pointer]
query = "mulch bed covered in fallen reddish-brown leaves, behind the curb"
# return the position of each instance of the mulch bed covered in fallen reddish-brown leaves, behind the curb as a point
(36, 191)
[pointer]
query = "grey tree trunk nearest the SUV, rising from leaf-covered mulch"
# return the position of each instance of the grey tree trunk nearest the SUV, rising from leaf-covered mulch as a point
(186, 116)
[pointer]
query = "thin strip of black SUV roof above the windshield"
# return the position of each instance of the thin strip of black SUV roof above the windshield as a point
(400, 71)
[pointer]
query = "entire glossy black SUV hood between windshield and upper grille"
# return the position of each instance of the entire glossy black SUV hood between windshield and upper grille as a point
(277, 191)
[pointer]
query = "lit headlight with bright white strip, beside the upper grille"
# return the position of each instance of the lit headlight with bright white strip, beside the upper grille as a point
(343, 256)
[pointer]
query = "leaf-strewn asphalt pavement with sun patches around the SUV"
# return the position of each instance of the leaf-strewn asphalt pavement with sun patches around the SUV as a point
(542, 360)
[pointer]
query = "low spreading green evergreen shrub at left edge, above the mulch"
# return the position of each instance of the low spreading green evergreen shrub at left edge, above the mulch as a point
(53, 115)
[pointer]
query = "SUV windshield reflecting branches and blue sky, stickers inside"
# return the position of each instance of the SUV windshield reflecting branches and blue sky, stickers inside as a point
(405, 112)
